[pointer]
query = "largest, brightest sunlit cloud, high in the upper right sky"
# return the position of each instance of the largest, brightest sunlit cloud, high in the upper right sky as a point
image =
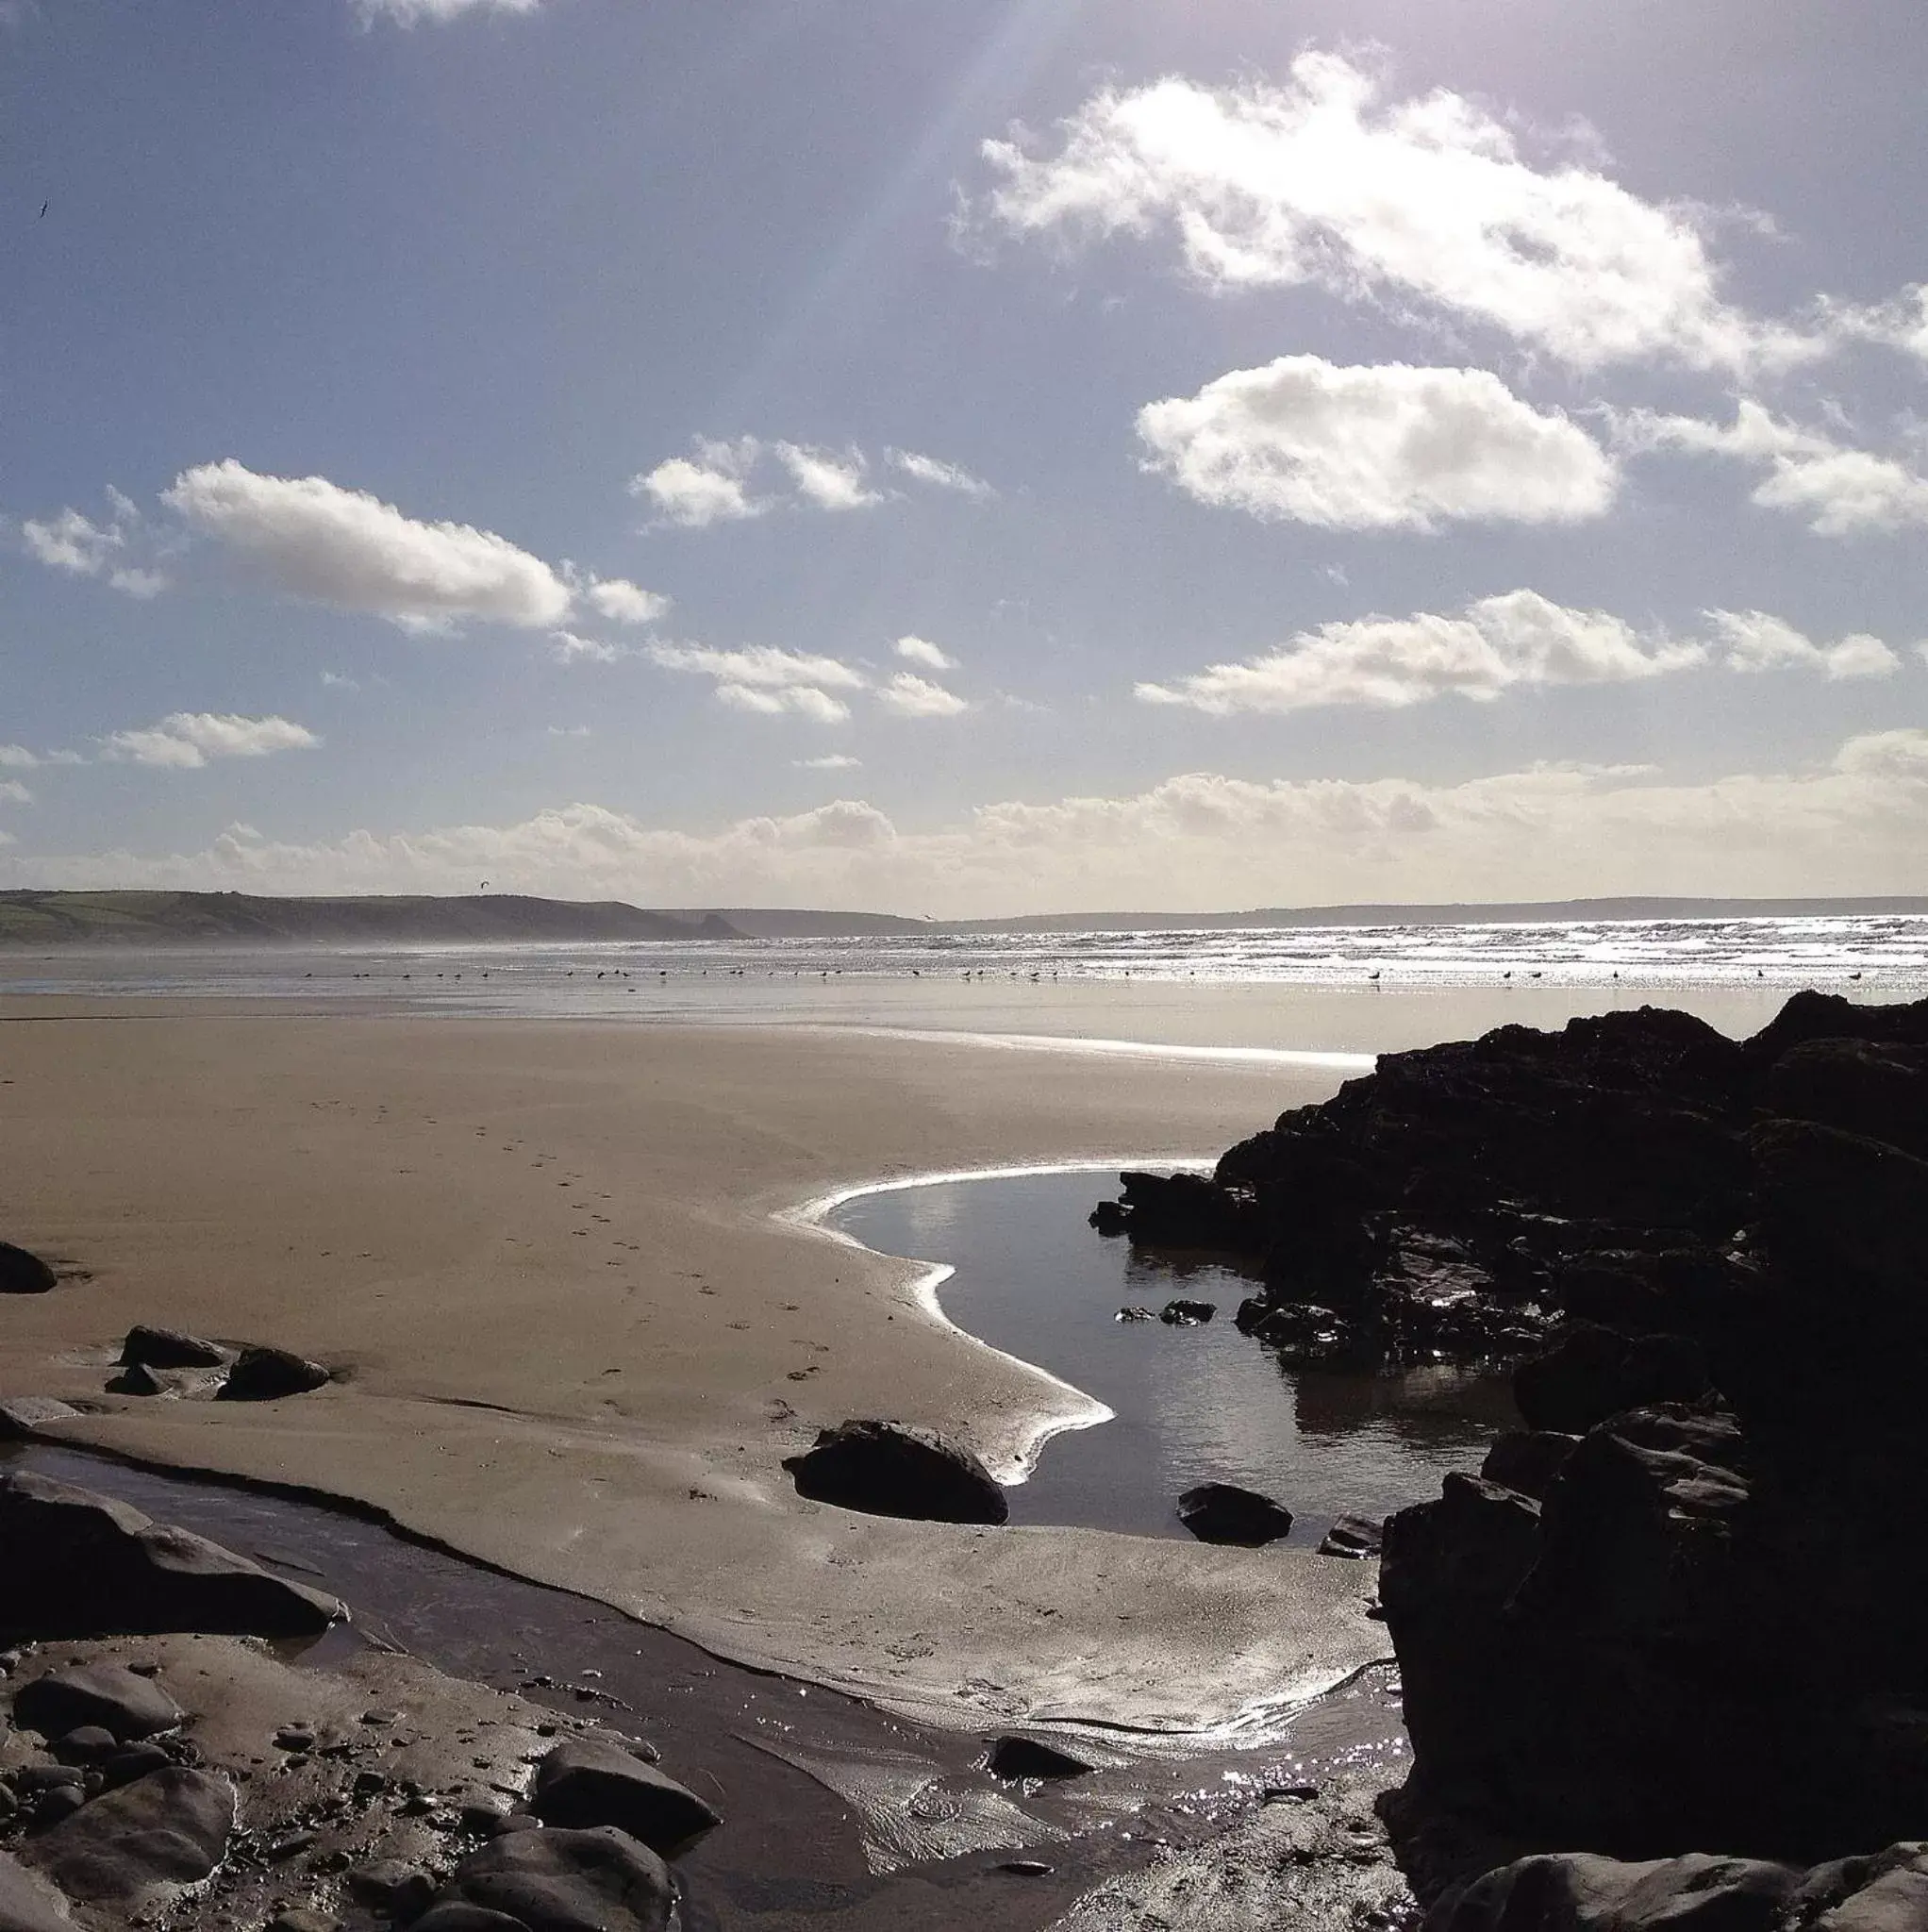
(1322, 181)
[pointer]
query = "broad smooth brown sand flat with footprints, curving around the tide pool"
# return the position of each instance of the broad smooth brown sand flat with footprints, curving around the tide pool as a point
(575, 1336)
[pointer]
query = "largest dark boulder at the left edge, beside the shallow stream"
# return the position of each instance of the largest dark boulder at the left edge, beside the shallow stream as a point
(80, 1564)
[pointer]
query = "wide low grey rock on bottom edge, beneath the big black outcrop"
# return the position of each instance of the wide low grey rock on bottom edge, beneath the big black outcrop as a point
(1579, 1892)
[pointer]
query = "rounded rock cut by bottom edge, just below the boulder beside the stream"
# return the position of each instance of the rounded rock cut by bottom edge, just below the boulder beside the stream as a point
(600, 1881)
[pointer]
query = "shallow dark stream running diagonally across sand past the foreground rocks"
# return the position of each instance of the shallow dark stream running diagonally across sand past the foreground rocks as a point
(837, 1817)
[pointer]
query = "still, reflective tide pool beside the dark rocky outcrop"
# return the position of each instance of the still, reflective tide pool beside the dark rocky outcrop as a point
(1191, 1404)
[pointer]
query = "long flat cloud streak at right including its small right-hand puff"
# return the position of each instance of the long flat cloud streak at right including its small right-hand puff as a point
(1496, 646)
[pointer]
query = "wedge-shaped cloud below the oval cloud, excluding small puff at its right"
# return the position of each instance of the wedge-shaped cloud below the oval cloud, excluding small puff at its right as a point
(1494, 646)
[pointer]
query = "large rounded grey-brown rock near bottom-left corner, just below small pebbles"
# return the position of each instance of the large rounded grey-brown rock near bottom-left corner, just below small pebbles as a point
(171, 1827)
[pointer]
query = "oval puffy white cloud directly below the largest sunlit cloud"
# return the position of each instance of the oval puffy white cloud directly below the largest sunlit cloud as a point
(1384, 447)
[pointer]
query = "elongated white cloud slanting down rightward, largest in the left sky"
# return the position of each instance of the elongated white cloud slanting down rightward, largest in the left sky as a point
(345, 548)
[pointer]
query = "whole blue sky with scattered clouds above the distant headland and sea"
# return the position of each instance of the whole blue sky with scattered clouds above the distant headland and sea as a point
(965, 457)
